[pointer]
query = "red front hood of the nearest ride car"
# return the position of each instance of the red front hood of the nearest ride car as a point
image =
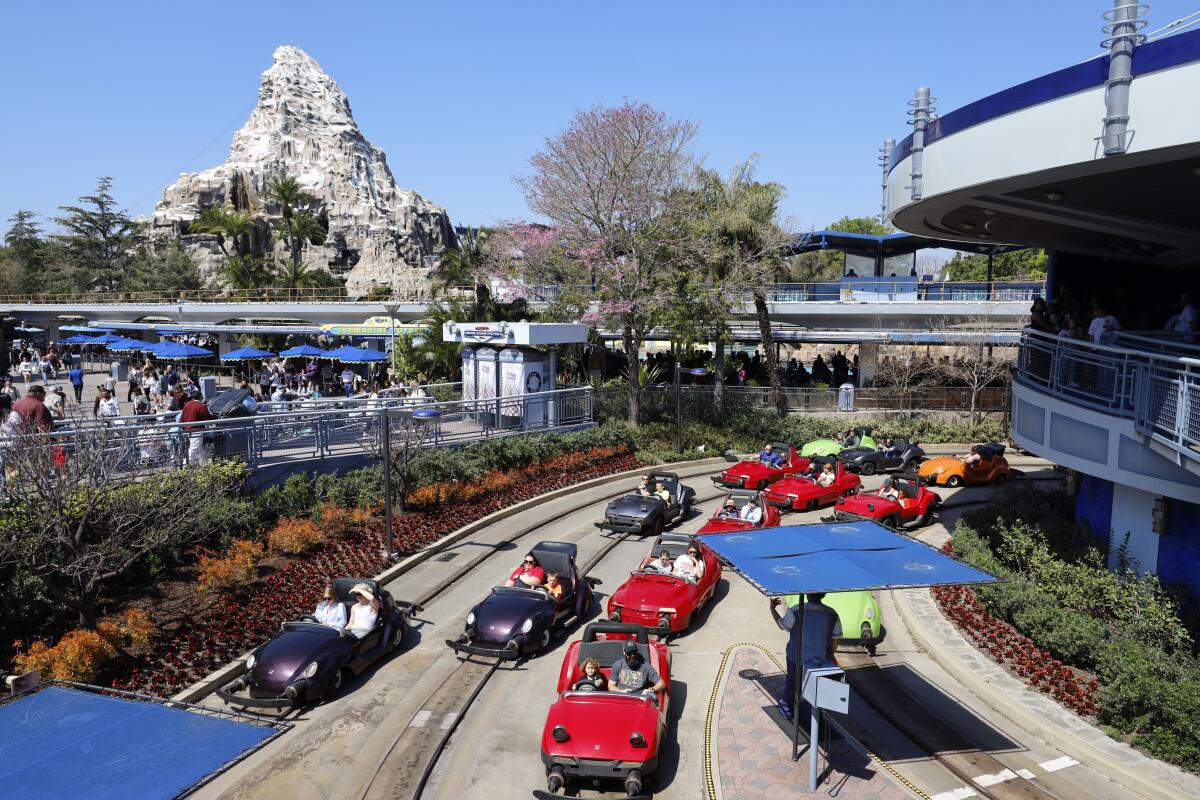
(601, 725)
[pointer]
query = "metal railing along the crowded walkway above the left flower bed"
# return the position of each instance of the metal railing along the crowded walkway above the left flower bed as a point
(314, 431)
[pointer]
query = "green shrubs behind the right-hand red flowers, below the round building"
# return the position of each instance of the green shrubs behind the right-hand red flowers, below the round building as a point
(1120, 625)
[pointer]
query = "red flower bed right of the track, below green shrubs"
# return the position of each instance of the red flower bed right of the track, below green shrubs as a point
(1017, 652)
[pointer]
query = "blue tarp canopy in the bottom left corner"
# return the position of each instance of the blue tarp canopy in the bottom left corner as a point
(64, 743)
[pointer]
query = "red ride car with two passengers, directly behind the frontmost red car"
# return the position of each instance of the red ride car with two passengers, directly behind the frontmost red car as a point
(664, 604)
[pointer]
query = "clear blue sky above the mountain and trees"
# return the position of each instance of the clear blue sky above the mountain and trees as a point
(461, 94)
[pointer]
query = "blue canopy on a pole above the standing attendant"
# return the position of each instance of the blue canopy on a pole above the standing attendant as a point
(838, 557)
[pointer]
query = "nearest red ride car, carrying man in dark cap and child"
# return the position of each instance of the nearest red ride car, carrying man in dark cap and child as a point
(602, 735)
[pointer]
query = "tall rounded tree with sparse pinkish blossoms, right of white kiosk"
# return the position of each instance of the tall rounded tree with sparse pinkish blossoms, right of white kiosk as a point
(607, 183)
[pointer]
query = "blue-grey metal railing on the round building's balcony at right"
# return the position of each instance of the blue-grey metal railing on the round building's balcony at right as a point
(1151, 386)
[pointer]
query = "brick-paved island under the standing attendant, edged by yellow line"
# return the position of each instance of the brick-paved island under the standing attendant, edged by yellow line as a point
(754, 747)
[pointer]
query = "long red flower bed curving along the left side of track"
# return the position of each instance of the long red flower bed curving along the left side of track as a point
(249, 616)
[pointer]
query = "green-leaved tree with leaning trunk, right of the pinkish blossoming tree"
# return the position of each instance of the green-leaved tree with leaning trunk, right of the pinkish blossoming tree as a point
(748, 246)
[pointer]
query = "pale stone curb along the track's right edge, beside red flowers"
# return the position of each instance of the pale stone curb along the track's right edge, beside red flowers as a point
(1130, 773)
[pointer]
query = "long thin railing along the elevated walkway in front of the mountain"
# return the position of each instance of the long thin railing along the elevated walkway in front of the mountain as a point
(901, 290)
